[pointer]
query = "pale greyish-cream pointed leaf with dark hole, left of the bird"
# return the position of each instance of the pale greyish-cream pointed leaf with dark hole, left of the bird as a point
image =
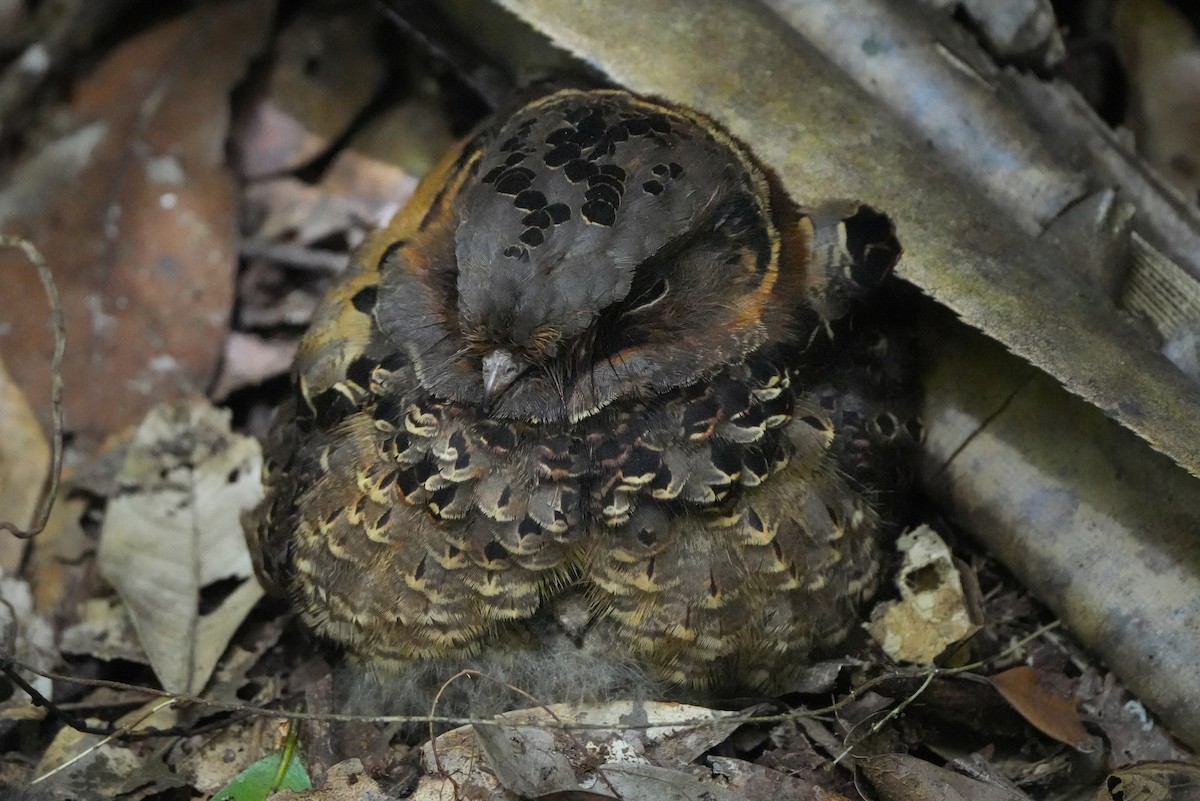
(173, 531)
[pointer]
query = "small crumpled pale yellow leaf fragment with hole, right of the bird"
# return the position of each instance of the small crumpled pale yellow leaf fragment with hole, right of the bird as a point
(933, 613)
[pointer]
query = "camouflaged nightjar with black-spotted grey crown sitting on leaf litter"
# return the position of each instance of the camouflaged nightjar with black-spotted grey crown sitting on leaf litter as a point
(593, 356)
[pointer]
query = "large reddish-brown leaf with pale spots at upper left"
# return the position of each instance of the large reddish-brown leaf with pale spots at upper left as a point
(136, 214)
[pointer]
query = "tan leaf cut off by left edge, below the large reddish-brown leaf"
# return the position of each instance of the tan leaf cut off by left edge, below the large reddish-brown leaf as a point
(25, 460)
